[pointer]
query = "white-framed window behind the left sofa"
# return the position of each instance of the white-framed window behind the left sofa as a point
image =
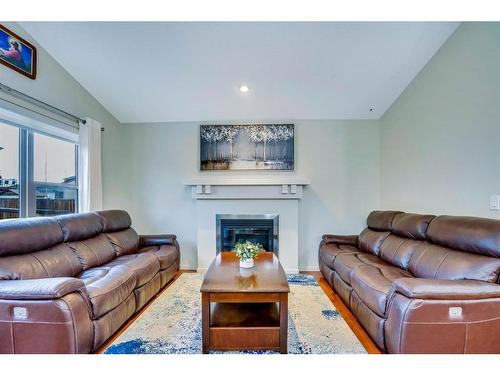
(39, 174)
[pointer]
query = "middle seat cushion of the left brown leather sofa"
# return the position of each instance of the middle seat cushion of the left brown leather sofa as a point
(145, 266)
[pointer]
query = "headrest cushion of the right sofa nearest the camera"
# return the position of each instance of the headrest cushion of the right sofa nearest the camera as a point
(471, 234)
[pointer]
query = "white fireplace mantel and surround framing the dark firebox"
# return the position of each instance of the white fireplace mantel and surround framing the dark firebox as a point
(249, 195)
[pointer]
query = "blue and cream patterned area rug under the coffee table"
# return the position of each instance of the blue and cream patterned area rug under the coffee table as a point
(172, 324)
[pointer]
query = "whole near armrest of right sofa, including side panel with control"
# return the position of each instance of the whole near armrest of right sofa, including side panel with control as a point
(427, 316)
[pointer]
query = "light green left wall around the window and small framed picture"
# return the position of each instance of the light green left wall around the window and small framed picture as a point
(54, 85)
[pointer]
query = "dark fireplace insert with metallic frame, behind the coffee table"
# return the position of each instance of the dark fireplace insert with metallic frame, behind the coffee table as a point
(262, 229)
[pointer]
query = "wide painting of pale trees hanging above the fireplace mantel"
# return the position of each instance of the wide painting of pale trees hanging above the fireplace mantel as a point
(233, 147)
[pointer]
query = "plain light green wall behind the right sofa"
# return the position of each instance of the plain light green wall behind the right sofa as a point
(440, 148)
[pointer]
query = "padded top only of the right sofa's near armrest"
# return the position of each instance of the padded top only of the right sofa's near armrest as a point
(445, 289)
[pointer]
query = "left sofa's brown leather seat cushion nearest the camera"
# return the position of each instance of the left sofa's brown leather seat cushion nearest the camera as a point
(107, 287)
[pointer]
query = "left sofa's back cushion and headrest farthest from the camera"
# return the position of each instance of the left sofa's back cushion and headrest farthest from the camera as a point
(116, 227)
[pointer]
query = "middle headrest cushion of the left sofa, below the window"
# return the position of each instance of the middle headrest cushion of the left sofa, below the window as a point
(77, 227)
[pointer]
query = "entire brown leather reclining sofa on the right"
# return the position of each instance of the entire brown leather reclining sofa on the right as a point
(420, 283)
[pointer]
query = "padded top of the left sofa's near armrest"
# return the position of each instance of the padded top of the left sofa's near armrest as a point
(39, 289)
